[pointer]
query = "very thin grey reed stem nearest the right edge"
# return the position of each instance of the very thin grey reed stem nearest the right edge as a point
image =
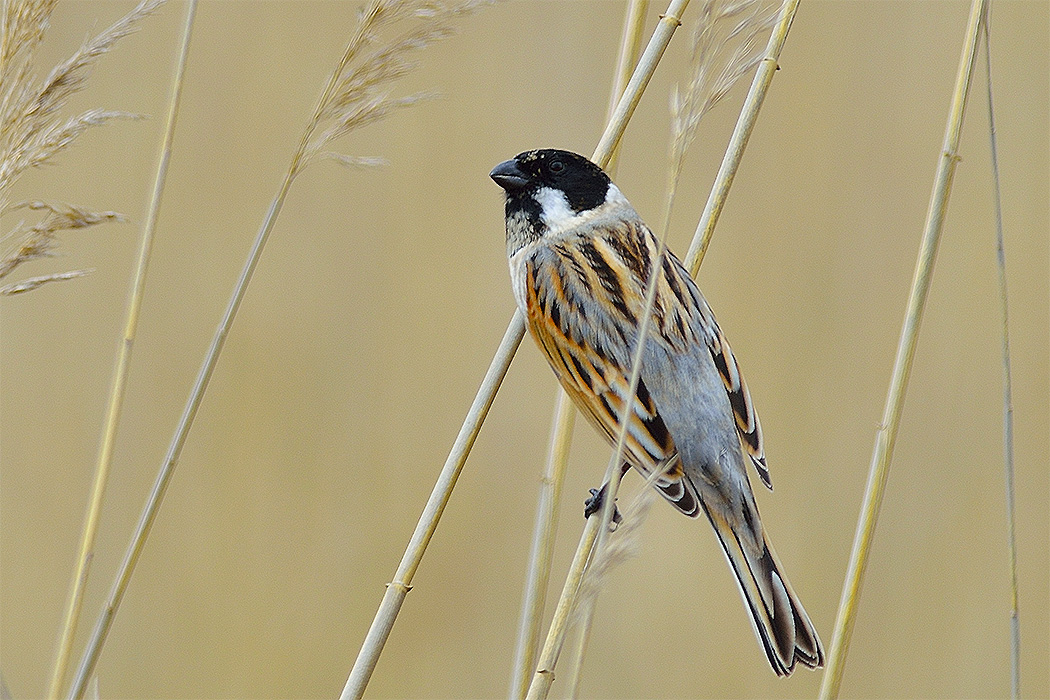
(1012, 543)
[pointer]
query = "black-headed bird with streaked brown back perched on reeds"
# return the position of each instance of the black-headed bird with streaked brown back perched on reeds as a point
(581, 259)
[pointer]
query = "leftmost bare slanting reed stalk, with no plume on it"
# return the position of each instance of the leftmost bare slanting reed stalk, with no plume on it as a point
(87, 553)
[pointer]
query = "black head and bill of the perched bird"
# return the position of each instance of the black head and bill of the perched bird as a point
(584, 185)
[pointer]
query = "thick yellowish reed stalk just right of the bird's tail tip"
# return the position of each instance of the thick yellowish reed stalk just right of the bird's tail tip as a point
(887, 435)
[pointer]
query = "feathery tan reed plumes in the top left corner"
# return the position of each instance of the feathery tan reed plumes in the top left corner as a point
(33, 132)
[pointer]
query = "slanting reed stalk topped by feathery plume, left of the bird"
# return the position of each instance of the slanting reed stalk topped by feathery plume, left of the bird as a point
(355, 97)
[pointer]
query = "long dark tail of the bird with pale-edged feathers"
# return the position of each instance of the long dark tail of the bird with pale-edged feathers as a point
(781, 623)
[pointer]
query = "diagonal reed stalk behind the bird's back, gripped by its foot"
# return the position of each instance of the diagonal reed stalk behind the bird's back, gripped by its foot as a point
(760, 87)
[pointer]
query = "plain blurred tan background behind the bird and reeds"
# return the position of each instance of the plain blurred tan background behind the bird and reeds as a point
(383, 296)
